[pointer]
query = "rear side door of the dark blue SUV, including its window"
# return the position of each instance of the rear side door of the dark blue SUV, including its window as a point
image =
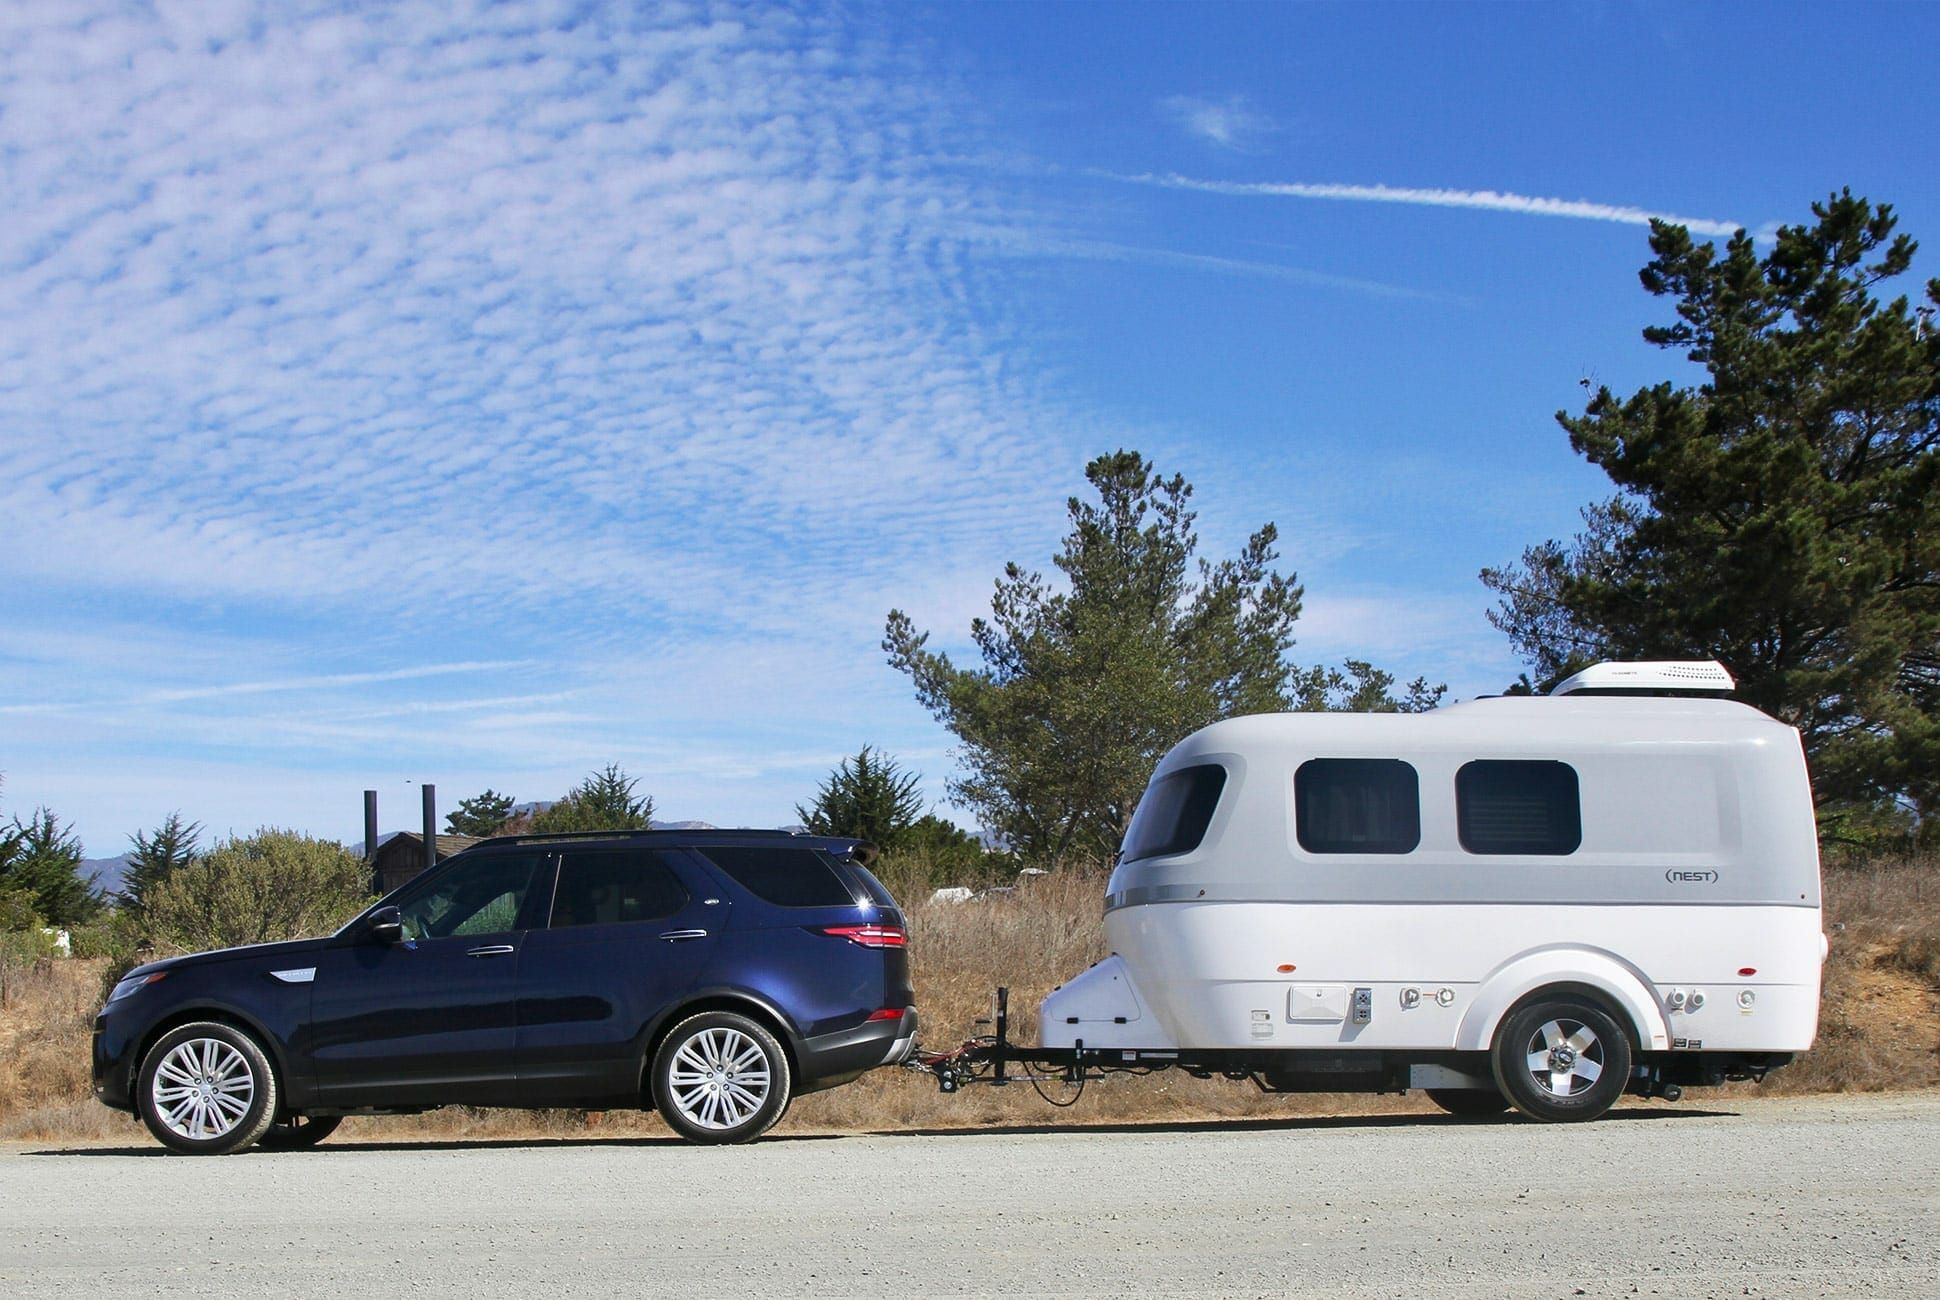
(630, 934)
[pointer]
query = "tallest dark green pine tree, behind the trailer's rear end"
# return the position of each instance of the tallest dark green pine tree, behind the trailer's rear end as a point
(1780, 515)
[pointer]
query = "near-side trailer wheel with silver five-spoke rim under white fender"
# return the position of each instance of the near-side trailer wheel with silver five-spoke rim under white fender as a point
(1561, 1058)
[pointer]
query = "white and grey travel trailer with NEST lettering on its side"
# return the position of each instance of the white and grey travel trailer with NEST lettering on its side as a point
(1534, 901)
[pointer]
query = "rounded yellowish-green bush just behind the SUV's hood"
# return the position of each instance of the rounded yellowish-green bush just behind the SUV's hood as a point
(271, 886)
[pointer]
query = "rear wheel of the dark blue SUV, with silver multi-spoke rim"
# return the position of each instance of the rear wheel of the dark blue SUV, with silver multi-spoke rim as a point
(721, 1078)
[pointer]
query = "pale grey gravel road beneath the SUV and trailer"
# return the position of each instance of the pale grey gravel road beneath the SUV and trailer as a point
(1772, 1198)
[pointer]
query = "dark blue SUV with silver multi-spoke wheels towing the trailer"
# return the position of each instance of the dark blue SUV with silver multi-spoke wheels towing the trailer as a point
(711, 975)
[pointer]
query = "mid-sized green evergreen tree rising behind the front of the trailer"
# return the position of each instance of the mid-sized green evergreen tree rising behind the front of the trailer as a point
(1083, 690)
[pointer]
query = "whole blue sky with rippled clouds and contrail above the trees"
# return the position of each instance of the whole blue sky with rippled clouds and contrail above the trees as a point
(486, 395)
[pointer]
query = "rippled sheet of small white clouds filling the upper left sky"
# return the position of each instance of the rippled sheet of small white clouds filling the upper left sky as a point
(614, 304)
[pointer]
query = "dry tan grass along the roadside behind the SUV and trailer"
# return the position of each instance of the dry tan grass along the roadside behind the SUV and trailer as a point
(1877, 1029)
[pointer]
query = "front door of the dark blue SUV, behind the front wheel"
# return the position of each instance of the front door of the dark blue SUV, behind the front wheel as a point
(430, 1020)
